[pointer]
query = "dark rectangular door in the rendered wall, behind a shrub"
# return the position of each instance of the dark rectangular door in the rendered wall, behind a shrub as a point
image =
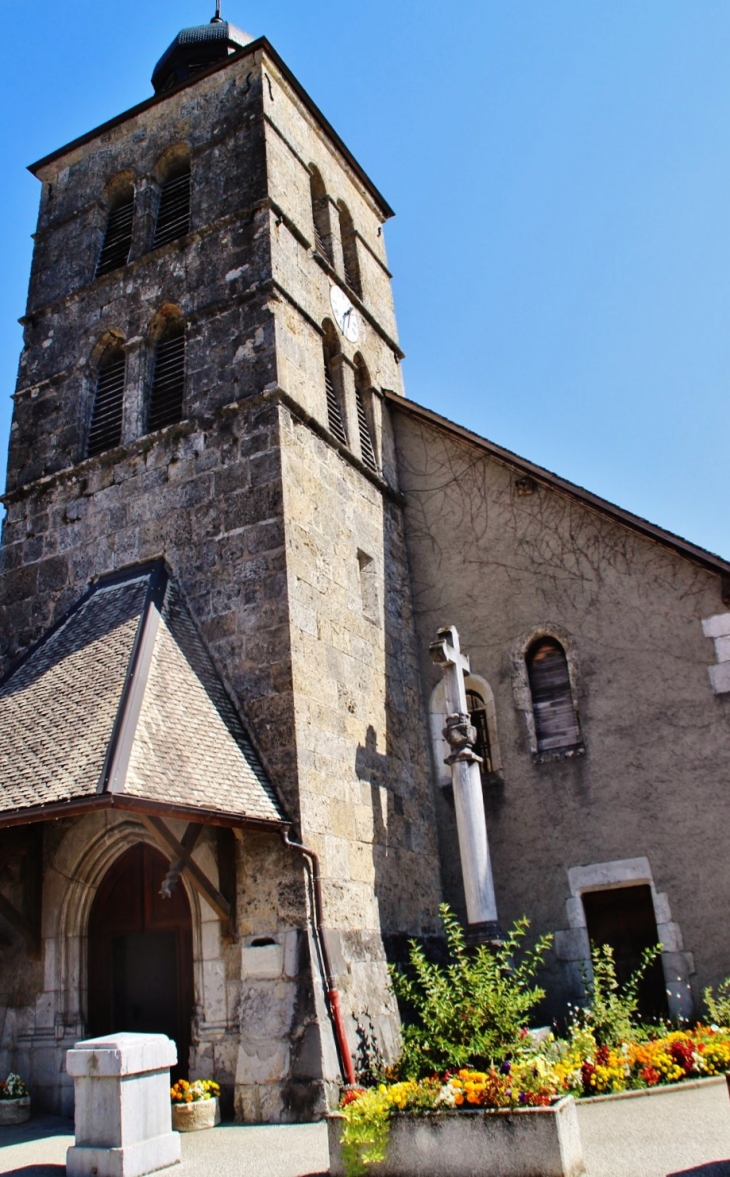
(625, 919)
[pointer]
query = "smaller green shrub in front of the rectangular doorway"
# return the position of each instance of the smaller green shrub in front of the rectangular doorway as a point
(610, 1013)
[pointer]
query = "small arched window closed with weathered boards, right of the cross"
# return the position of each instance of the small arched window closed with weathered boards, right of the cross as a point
(556, 723)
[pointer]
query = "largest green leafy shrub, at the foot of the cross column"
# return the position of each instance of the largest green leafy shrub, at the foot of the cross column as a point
(472, 1012)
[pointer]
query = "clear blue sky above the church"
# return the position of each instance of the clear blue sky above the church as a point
(561, 175)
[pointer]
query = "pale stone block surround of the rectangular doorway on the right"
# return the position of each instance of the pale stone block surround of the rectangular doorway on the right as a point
(573, 947)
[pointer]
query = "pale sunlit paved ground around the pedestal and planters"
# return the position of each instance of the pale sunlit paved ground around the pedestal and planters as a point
(678, 1133)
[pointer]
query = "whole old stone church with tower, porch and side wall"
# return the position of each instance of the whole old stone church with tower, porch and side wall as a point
(288, 660)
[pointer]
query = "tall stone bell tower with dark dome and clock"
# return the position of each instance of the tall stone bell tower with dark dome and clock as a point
(209, 334)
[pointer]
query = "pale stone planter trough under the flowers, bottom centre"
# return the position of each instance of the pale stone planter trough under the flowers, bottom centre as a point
(535, 1142)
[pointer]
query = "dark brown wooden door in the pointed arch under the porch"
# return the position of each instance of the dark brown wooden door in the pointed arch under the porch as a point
(141, 954)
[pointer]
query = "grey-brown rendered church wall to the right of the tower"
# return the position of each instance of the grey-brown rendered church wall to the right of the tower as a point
(503, 560)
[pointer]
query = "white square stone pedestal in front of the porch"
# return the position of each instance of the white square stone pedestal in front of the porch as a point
(123, 1112)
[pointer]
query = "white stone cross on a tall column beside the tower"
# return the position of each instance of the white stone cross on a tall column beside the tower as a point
(464, 763)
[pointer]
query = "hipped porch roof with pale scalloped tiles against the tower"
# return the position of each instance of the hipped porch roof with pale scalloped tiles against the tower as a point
(121, 706)
